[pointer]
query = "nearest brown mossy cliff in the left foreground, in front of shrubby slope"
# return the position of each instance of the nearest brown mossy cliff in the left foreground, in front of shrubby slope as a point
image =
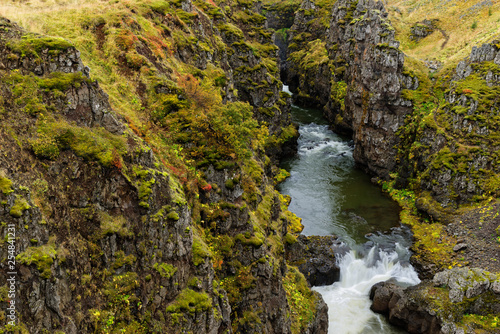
(103, 232)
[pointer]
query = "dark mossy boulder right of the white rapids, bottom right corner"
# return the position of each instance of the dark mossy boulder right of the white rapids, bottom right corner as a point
(443, 304)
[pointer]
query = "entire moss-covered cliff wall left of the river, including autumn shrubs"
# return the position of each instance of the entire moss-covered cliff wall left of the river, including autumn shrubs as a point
(159, 215)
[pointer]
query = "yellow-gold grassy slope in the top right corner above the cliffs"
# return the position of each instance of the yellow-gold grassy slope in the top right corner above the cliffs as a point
(460, 25)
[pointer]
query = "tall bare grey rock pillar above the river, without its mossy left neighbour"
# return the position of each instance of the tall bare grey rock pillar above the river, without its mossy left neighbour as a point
(367, 61)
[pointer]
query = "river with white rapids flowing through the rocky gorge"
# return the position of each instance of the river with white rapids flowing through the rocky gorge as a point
(333, 197)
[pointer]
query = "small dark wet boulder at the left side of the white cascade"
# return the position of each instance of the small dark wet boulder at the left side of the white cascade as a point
(315, 258)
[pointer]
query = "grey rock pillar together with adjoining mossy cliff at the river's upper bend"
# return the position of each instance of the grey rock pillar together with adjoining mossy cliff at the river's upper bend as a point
(353, 66)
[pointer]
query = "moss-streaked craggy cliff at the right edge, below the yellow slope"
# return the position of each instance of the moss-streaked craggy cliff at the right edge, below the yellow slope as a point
(458, 148)
